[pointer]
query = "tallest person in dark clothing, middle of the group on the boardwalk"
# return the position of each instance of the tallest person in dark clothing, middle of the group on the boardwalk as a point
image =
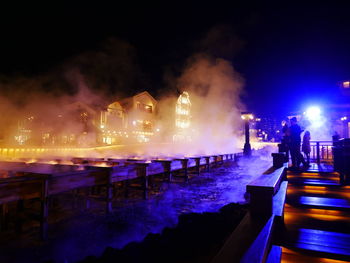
(295, 142)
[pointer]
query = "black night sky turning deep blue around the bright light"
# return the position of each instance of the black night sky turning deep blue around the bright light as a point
(291, 54)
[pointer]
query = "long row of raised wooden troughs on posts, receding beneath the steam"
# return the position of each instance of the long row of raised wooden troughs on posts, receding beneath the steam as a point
(21, 181)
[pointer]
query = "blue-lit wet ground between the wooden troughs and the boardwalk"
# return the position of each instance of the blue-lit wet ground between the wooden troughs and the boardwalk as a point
(73, 236)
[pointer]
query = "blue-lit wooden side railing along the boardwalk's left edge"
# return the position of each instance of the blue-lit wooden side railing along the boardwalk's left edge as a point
(252, 240)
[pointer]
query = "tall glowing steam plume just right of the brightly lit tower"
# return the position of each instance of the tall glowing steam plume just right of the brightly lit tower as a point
(214, 87)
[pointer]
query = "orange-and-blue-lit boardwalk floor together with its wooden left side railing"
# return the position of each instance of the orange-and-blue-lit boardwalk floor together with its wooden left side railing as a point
(294, 216)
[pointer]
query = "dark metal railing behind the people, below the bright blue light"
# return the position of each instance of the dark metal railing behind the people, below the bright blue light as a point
(321, 151)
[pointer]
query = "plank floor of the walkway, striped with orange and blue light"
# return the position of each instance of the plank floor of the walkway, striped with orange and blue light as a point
(316, 217)
